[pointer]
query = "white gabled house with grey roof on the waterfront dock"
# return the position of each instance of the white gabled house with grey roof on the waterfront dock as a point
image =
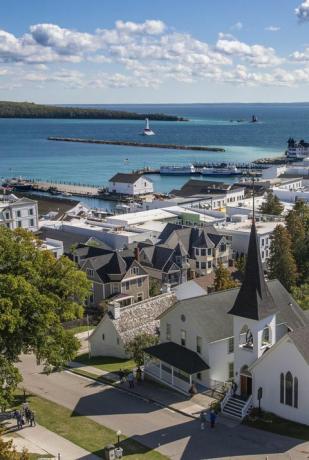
(130, 184)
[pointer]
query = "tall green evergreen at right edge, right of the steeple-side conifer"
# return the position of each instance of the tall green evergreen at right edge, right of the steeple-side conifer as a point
(297, 224)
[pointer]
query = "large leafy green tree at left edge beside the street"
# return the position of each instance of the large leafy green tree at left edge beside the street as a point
(37, 293)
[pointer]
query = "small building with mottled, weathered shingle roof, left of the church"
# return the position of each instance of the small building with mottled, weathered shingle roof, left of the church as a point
(121, 324)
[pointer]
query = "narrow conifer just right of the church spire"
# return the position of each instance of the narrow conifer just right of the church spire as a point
(281, 263)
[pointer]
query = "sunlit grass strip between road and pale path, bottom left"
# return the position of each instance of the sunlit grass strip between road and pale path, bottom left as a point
(83, 431)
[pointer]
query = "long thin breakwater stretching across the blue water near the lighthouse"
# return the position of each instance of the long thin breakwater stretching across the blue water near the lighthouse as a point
(137, 144)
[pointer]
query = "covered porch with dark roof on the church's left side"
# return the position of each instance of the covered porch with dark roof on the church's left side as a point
(175, 366)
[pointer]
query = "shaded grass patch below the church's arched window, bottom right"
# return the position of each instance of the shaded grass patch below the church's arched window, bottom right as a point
(273, 423)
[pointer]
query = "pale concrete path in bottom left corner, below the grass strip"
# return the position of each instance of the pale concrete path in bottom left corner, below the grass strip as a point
(49, 442)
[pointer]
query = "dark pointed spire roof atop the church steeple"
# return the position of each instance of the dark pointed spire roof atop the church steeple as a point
(254, 299)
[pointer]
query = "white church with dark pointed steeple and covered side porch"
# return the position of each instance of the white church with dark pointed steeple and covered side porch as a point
(256, 336)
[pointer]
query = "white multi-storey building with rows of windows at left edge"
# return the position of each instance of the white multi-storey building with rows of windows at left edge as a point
(19, 213)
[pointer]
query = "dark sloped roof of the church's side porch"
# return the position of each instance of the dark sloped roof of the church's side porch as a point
(177, 356)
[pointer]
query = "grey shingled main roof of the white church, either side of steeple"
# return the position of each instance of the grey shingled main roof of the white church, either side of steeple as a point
(211, 311)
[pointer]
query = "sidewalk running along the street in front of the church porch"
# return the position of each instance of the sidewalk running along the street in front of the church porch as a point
(154, 392)
